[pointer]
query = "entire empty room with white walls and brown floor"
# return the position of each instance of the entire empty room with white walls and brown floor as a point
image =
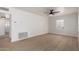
(39, 29)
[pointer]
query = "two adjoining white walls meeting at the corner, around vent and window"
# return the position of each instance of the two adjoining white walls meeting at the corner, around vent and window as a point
(34, 24)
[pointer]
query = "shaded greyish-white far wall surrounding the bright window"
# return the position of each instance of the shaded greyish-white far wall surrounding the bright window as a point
(70, 24)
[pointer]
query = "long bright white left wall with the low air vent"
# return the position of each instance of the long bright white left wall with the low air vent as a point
(27, 22)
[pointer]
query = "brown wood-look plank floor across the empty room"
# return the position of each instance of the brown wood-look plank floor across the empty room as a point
(46, 42)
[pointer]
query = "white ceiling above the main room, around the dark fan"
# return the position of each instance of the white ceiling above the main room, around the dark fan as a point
(45, 10)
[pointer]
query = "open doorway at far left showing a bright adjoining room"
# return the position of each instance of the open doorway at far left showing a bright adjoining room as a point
(4, 25)
